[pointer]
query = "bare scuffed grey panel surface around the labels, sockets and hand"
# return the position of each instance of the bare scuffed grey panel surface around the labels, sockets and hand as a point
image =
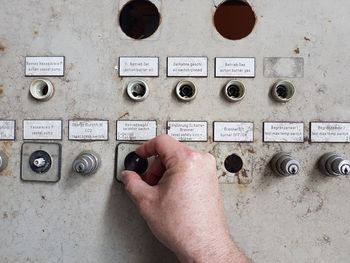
(90, 219)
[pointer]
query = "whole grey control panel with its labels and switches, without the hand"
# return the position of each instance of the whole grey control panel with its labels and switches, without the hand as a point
(261, 85)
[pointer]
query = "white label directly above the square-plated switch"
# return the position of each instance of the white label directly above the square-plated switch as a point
(42, 130)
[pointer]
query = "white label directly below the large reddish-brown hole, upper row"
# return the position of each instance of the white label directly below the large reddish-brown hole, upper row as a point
(235, 67)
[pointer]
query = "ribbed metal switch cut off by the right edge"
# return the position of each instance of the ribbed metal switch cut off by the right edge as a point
(332, 164)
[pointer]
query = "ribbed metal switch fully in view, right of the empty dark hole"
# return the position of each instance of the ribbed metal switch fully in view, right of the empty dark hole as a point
(283, 164)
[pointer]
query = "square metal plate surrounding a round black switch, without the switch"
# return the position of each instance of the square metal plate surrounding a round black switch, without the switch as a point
(53, 174)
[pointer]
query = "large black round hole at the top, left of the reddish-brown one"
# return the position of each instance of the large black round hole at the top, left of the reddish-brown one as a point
(139, 19)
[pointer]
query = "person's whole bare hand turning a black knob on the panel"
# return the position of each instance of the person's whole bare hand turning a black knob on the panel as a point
(181, 202)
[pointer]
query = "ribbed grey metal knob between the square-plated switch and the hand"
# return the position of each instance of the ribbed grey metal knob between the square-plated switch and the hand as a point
(86, 163)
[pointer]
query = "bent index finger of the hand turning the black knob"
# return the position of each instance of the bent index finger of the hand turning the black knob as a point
(163, 145)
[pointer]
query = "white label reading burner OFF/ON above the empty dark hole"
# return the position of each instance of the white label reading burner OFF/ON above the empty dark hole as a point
(233, 131)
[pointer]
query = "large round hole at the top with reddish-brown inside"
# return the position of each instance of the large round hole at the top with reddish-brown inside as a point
(234, 19)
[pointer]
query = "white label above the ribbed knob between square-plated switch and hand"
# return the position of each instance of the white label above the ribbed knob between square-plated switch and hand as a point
(88, 130)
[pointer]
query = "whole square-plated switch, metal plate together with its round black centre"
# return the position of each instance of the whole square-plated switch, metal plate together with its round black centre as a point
(41, 162)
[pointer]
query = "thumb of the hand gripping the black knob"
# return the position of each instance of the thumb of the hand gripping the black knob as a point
(136, 187)
